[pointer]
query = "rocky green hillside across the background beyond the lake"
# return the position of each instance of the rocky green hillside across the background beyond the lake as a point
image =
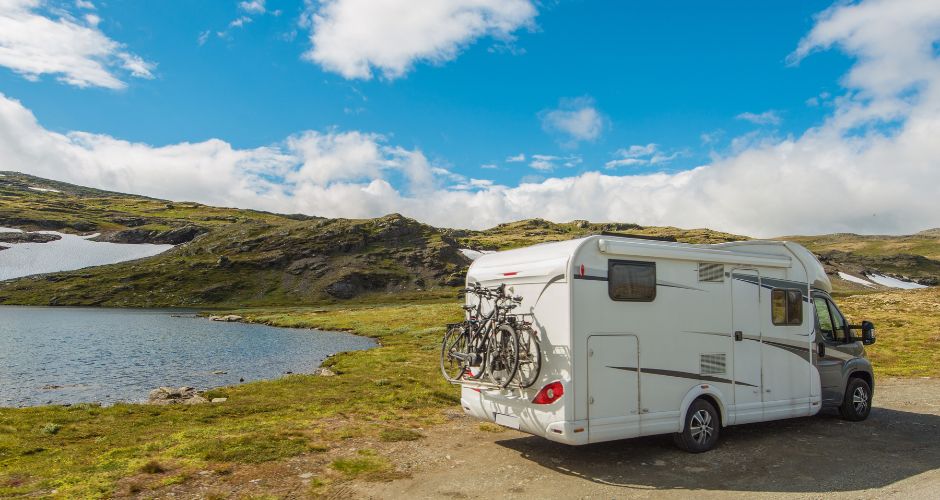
(227, 256)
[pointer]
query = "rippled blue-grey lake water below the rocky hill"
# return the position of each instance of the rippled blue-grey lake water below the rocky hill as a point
(109, 355)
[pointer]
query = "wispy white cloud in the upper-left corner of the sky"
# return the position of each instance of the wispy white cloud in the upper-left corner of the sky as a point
(34, 43)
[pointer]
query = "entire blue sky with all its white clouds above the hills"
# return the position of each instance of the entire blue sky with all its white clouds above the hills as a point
(761, 118)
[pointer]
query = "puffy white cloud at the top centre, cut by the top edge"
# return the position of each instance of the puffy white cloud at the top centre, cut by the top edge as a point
(355, 38)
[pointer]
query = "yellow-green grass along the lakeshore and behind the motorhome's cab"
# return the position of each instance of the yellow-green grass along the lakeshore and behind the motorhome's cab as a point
(382, 394)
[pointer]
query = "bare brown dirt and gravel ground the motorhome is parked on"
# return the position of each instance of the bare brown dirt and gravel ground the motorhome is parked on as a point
(893, 454)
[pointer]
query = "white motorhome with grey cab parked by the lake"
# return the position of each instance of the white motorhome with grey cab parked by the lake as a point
(642, 337)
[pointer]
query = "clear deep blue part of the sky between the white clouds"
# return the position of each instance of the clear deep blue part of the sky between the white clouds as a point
(658, 72)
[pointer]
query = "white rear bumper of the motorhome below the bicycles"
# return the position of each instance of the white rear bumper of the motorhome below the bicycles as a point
(548, 423)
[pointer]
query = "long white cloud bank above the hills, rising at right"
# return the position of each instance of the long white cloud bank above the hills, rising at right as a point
(847, 174)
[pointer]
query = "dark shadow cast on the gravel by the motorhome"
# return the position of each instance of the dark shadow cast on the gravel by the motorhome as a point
(807, 455)
